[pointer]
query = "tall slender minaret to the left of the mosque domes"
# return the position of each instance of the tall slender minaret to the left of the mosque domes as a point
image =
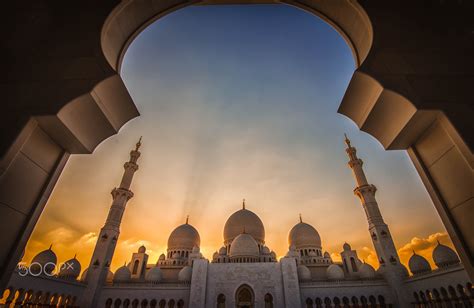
(104, 249)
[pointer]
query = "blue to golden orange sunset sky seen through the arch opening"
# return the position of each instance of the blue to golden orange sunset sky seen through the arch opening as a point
(237, 102)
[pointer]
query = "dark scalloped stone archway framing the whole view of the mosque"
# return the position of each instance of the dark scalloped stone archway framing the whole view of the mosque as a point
(412, 89)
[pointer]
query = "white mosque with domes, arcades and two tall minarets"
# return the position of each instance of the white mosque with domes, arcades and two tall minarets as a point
(244, 272)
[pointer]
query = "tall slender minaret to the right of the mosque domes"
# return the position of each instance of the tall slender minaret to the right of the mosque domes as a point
(390, 266)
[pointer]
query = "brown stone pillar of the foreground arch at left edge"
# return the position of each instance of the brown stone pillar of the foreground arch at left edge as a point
(28, 173)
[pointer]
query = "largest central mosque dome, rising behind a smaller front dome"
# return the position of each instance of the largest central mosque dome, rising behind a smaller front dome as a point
(244, 220)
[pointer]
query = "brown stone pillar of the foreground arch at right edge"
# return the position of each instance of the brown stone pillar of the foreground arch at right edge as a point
(446, 166)
